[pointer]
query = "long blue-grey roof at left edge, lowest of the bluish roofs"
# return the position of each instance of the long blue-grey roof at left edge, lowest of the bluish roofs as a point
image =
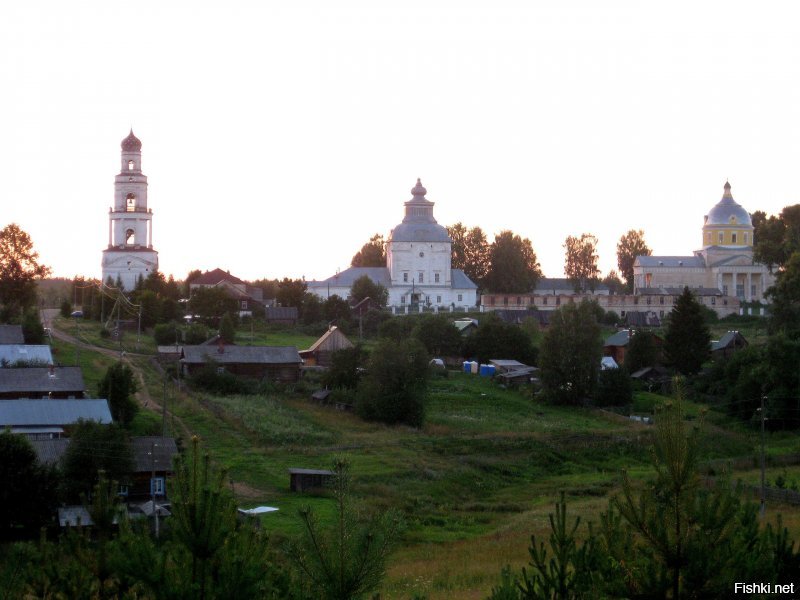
(41, 413)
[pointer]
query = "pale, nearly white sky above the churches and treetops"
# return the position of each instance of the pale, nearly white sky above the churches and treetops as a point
(279, 136)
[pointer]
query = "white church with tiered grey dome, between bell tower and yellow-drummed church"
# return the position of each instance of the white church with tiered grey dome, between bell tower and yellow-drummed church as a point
(418, 269)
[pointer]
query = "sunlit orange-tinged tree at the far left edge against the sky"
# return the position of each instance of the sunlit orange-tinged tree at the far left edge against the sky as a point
(19, 270)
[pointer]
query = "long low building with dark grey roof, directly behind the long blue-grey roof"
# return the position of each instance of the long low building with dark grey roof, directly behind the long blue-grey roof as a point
(41, 382)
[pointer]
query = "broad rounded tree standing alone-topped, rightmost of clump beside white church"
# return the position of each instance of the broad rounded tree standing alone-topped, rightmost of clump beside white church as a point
(513, 265)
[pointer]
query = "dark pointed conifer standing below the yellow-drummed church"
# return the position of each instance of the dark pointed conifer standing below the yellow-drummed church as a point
(687, 341)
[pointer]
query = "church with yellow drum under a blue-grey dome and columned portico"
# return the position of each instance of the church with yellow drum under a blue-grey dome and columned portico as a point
(724, 264)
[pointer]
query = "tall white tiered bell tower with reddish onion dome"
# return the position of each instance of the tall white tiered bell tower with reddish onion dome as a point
(130, 251)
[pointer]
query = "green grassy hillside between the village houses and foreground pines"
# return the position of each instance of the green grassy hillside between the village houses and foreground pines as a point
(474, 483)
